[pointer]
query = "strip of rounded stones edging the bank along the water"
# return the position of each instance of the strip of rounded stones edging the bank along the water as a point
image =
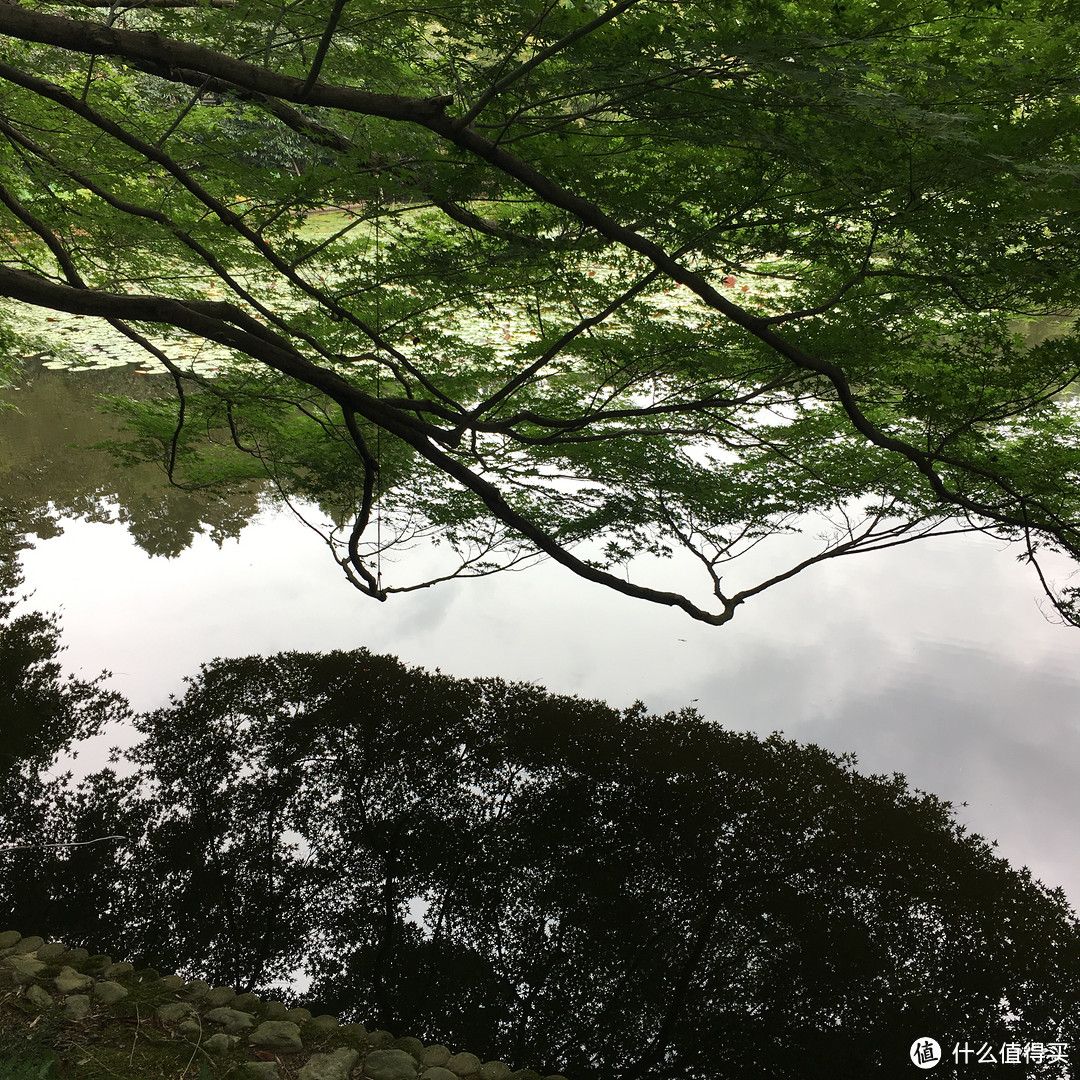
(220, 1022)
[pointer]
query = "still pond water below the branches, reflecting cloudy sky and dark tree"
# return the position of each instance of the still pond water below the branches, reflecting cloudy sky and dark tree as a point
(600, 896)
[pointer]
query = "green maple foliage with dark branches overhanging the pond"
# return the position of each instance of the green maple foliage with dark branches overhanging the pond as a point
(614, 280)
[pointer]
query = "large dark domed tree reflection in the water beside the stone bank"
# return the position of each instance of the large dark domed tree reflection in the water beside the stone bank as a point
(555, 883)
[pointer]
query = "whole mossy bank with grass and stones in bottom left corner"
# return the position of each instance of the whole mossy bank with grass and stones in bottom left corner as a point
(65, 1014)
